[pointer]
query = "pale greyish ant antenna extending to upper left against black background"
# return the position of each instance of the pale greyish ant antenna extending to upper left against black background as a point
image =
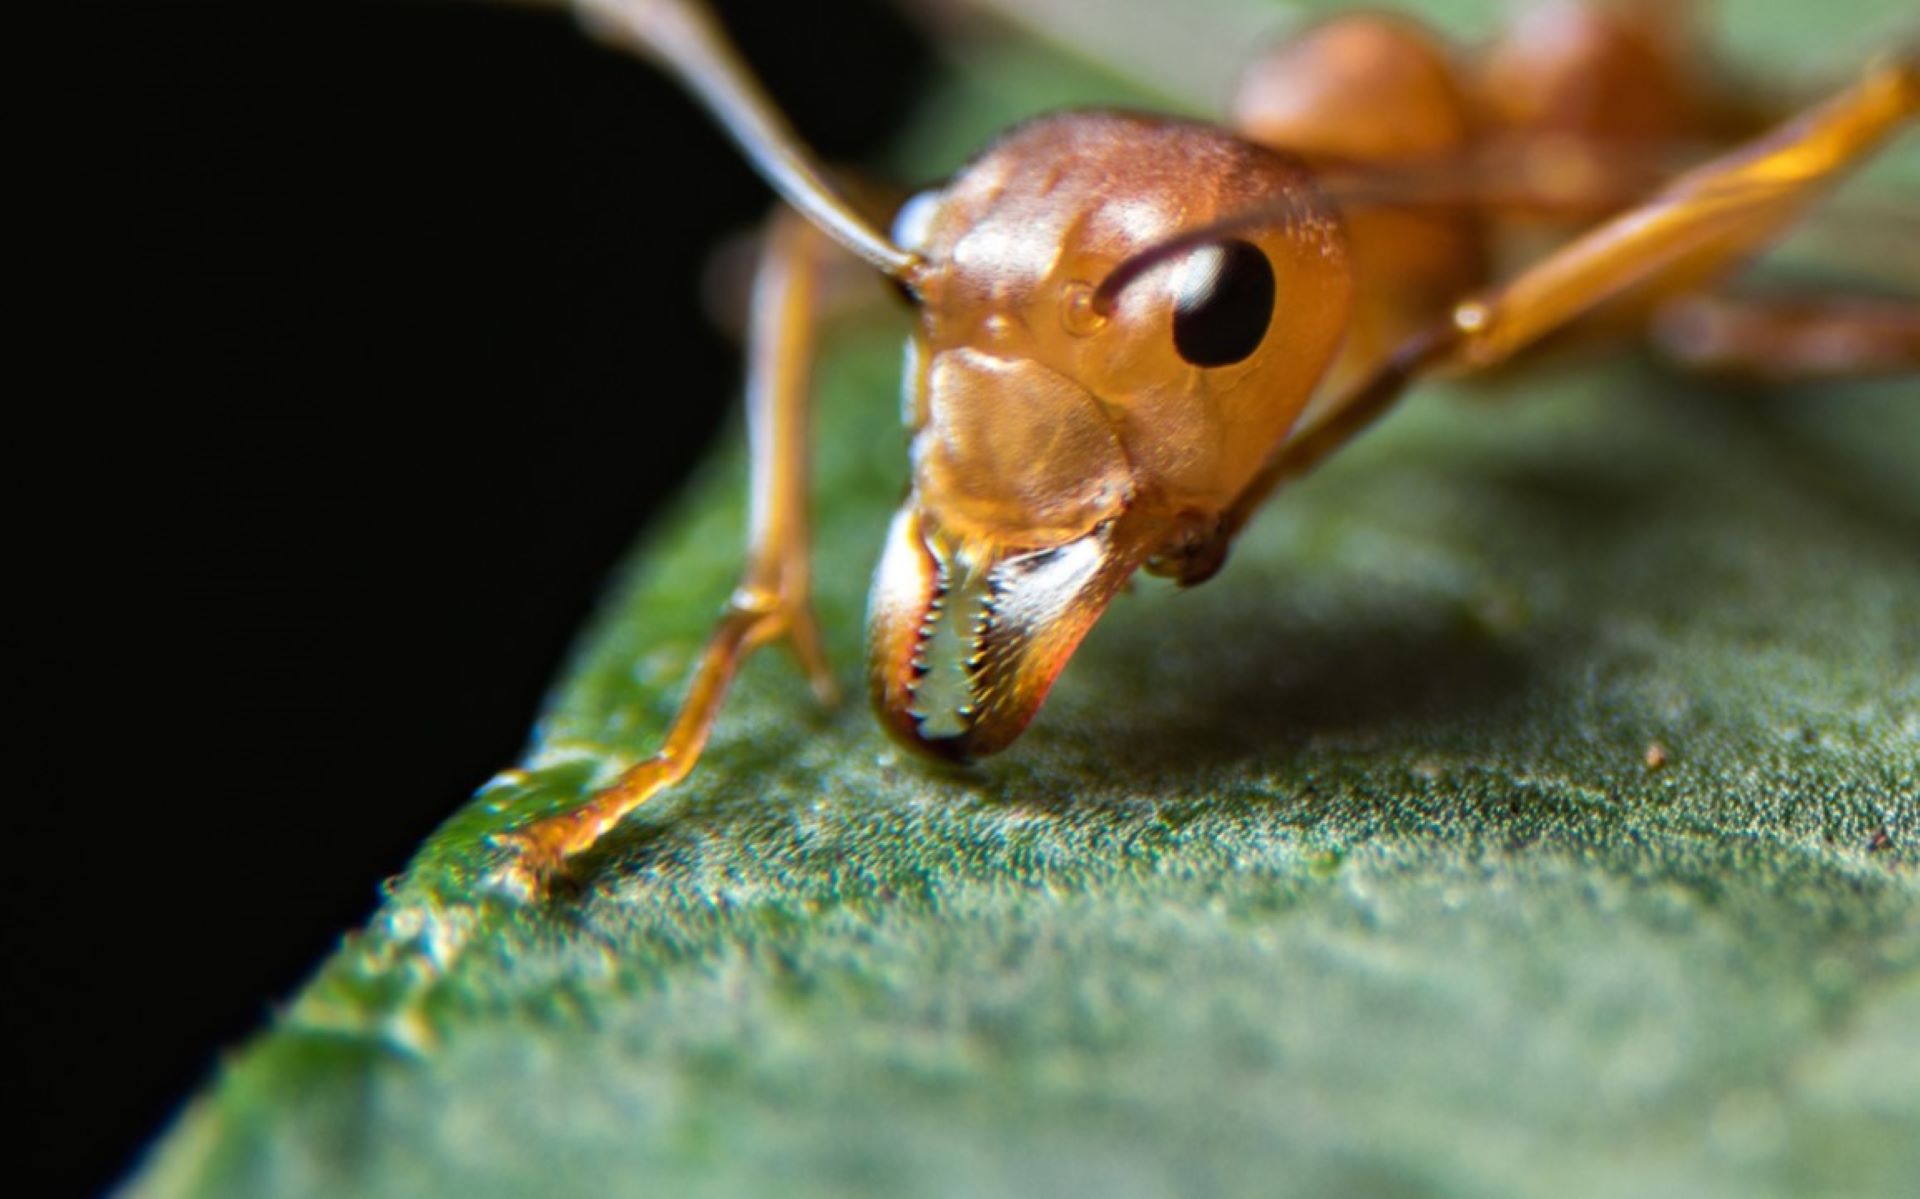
(684, 37)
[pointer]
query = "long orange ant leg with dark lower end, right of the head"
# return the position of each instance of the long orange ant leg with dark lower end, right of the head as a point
(1691, 233)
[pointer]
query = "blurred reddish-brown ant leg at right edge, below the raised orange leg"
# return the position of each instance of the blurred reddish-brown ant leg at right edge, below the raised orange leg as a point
(1790, 339)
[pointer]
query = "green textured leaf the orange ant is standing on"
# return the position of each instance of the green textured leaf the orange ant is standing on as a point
(1347, 873)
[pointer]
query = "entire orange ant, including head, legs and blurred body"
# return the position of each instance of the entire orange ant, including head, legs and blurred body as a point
(1120, 322)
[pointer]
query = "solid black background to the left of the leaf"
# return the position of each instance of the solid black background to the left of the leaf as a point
(379, 328)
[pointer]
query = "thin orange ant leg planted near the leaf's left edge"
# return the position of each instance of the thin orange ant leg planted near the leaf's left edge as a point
(773, 600)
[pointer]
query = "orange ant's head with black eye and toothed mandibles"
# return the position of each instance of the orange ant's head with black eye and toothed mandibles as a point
(1120, 320)
